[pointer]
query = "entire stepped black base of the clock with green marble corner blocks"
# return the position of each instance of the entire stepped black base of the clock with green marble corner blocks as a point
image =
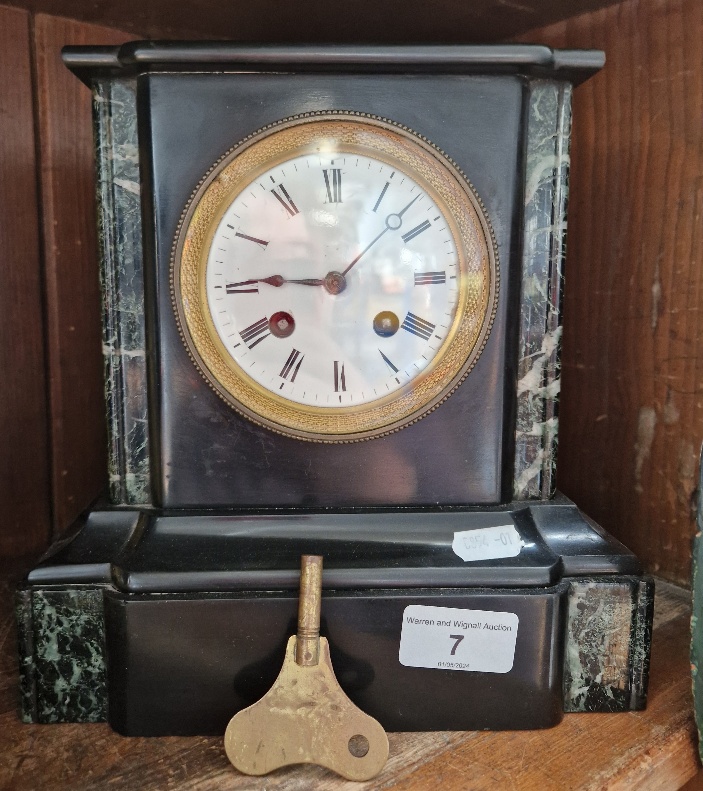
(169, 624)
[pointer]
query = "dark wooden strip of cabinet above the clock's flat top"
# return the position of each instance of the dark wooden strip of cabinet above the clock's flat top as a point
(319, 20)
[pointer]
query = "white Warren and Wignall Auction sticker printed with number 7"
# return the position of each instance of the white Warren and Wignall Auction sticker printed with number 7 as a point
(447, 638)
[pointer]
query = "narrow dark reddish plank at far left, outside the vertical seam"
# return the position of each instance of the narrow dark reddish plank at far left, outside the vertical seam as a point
(24, 463)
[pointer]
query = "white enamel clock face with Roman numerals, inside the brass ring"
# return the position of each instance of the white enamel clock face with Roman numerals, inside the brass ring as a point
(333, 279)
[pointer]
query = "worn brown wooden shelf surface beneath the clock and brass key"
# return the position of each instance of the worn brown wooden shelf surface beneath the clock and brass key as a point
(654, 749)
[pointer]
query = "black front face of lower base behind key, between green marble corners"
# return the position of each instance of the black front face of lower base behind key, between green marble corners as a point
(219, 653)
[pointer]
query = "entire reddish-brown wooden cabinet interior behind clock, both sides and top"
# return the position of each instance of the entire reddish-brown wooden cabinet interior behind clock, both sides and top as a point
(632, 409)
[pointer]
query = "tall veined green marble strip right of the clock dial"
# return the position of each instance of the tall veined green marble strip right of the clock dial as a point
(544, 248)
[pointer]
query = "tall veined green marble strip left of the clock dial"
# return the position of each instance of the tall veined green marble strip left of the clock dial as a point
(122, 280)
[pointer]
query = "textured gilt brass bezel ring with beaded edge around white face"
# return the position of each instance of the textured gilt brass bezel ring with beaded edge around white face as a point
(409, 153)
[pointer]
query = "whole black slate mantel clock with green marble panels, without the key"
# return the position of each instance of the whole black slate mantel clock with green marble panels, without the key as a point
(332, 286)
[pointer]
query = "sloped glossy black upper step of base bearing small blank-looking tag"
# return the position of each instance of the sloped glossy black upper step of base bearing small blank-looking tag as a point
(204, 551)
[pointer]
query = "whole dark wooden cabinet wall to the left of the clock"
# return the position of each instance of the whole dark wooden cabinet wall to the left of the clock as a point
(52, 425)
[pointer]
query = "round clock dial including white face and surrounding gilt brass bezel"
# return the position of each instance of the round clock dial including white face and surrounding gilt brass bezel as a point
(337, 278)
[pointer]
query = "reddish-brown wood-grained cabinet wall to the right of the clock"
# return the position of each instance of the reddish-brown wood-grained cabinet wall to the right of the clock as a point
(632, 395)
